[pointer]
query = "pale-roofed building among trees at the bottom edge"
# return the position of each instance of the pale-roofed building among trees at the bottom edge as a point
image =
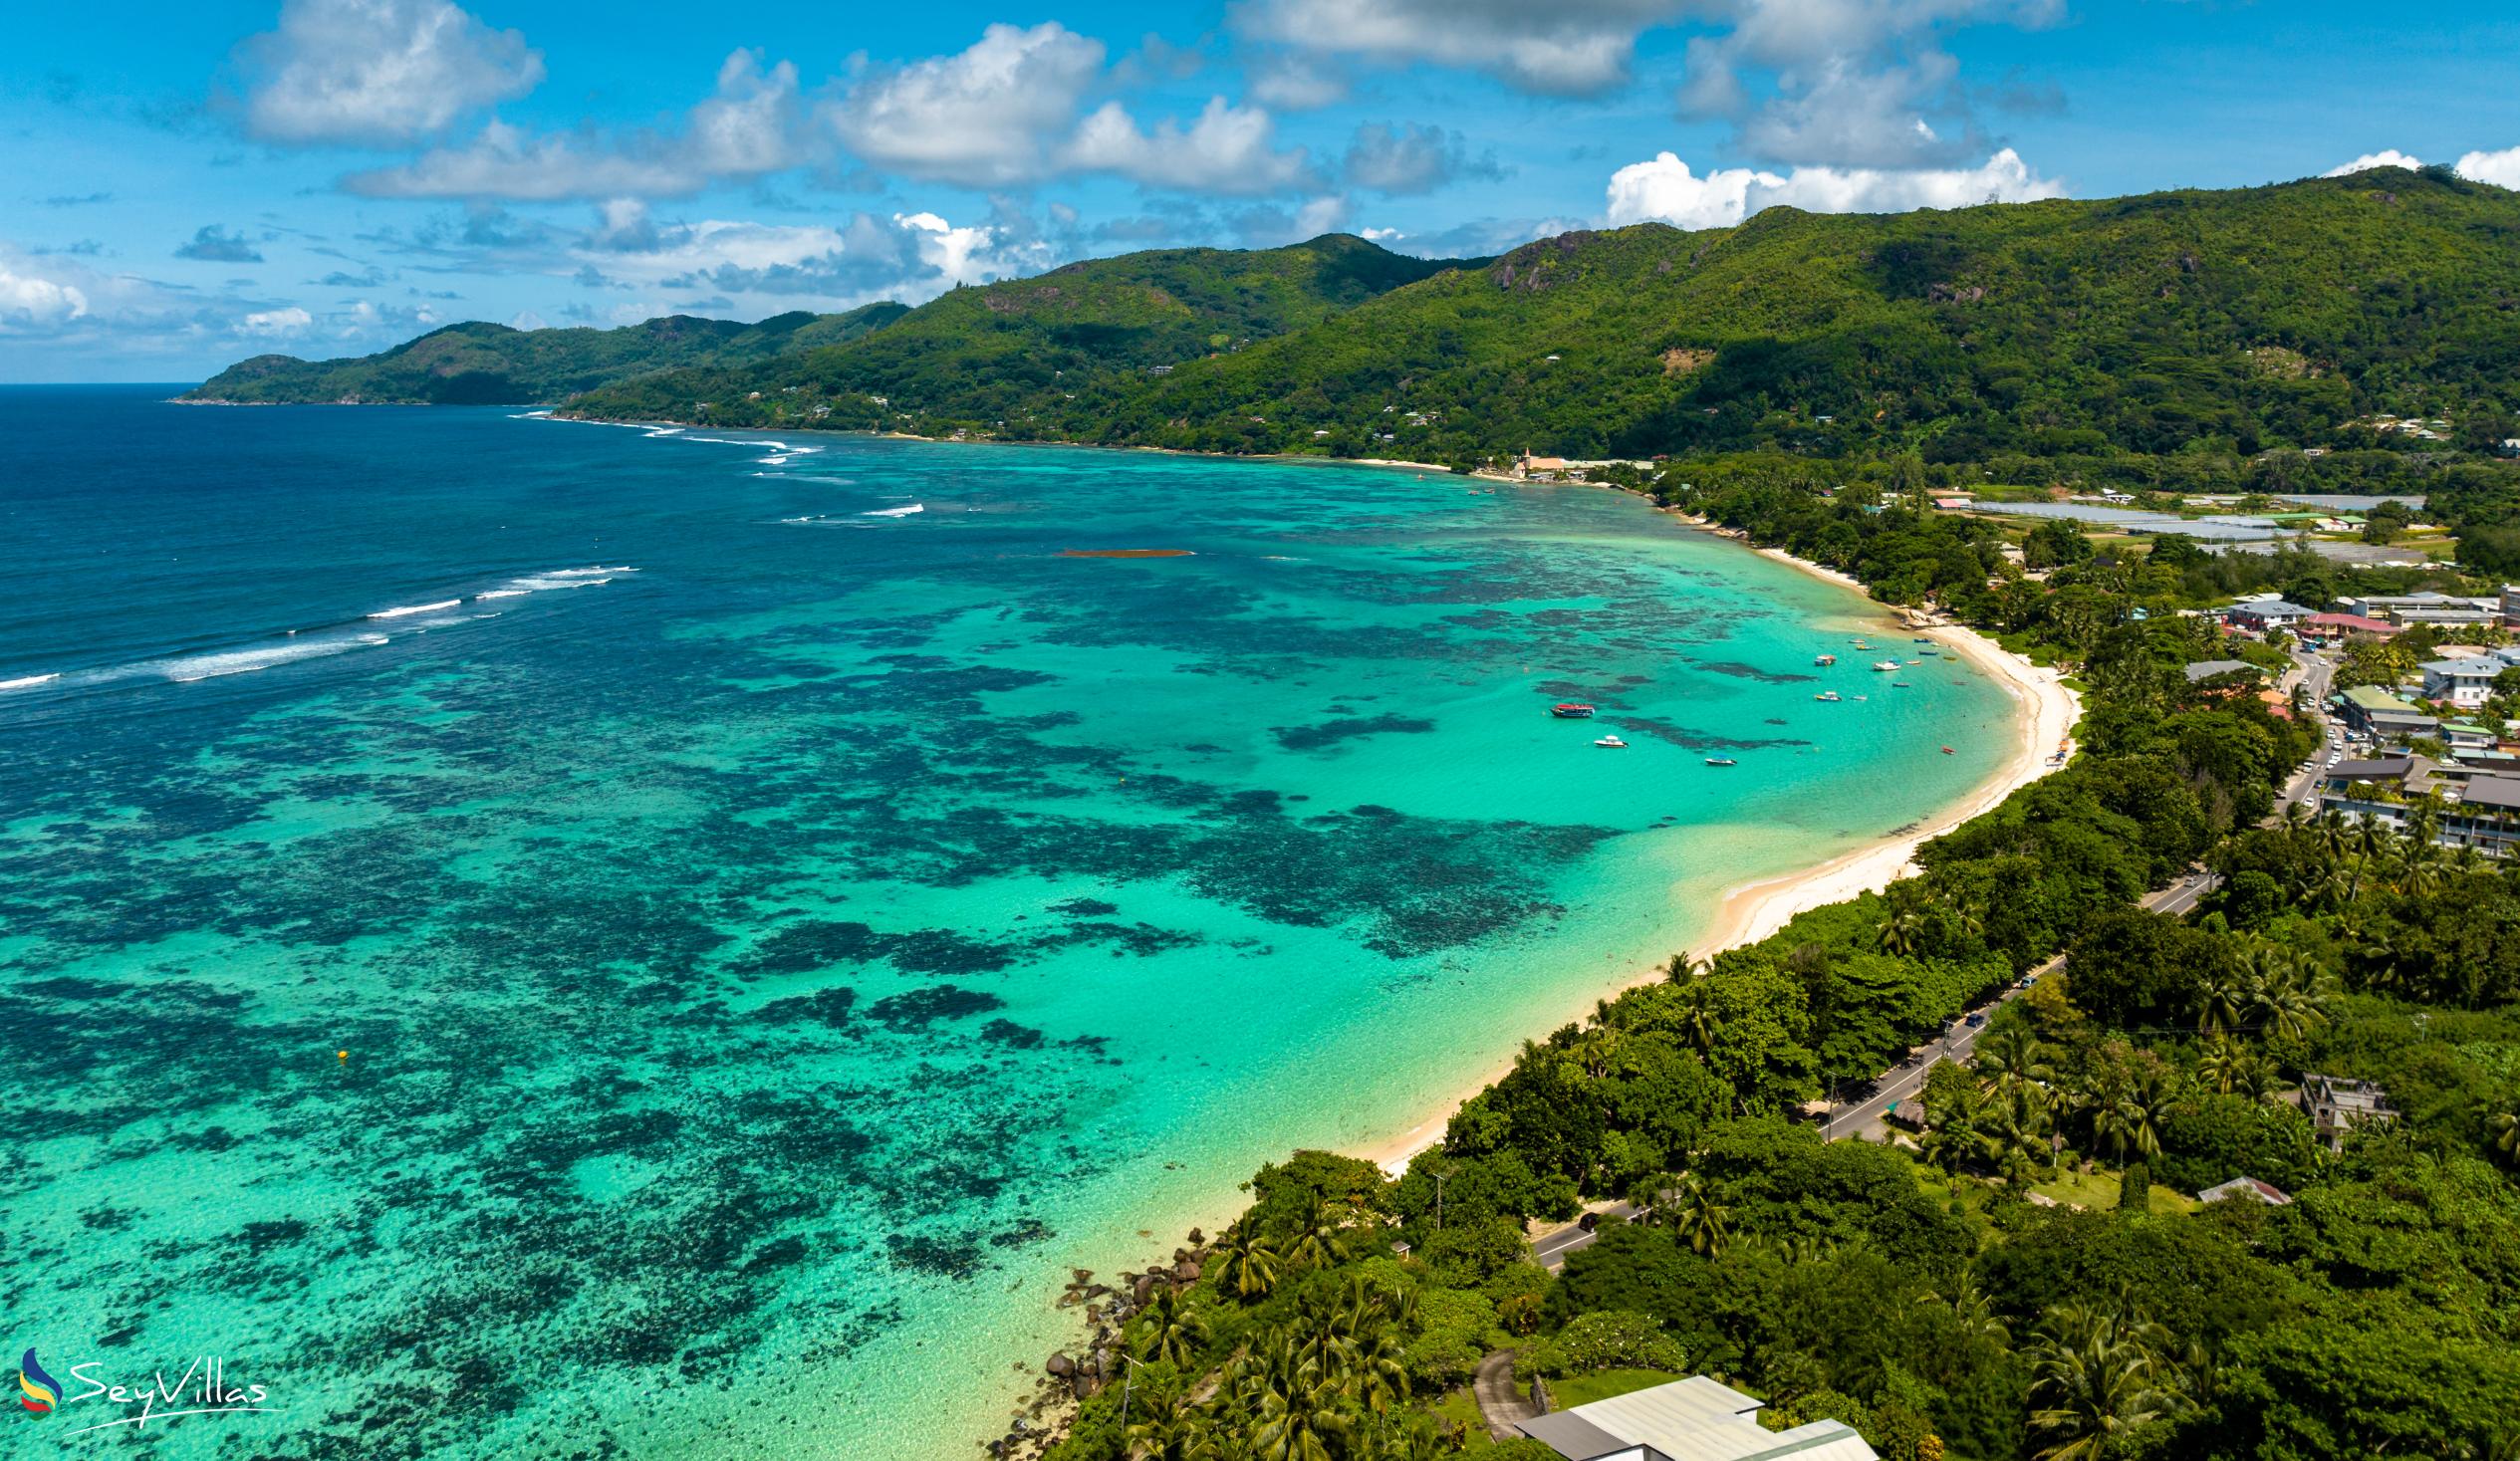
(1692, 1419)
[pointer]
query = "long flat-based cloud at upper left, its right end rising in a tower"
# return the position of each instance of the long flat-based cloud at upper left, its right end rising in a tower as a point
(747, 130)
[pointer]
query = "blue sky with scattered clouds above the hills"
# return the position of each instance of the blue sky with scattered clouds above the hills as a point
(190, 185)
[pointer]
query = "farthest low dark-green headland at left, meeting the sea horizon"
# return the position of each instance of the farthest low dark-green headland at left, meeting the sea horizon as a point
(493, 364)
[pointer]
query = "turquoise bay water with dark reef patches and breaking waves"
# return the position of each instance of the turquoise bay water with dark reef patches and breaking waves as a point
(543, 941)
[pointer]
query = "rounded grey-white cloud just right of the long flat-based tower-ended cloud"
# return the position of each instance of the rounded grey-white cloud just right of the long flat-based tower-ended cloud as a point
(982, 117)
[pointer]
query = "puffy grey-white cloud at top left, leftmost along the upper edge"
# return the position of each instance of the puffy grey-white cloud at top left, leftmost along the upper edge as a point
(379, 69)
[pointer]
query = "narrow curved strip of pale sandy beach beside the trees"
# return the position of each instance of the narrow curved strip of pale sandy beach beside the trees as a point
(1755, 911)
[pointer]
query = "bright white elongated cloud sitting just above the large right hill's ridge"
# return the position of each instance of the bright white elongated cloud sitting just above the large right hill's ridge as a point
(1672, 193)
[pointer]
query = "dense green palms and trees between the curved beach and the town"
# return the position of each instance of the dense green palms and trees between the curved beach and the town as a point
(2032, 1276)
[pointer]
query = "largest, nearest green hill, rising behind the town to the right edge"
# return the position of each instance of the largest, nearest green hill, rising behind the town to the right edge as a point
(2153, 326)
